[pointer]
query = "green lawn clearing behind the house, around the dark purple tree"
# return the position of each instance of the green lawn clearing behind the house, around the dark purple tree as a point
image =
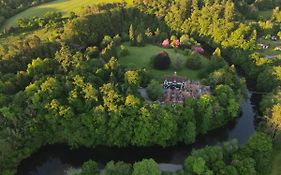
(140, 57)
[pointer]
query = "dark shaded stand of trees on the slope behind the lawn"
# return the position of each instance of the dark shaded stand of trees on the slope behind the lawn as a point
(76, 32)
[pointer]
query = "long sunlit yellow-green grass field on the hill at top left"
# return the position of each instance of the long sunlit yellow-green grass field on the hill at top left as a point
(64, 6)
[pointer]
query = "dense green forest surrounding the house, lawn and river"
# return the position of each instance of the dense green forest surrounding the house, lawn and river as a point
(68, 85)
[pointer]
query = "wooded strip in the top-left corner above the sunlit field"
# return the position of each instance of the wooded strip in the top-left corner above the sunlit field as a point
(9, 8)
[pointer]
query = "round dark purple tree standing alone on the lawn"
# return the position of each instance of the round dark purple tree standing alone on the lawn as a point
(162, 61)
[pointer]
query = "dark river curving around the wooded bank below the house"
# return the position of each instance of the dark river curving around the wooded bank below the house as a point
(56, 159)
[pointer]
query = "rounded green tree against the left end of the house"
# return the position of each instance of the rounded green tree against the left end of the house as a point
(154, 90)
